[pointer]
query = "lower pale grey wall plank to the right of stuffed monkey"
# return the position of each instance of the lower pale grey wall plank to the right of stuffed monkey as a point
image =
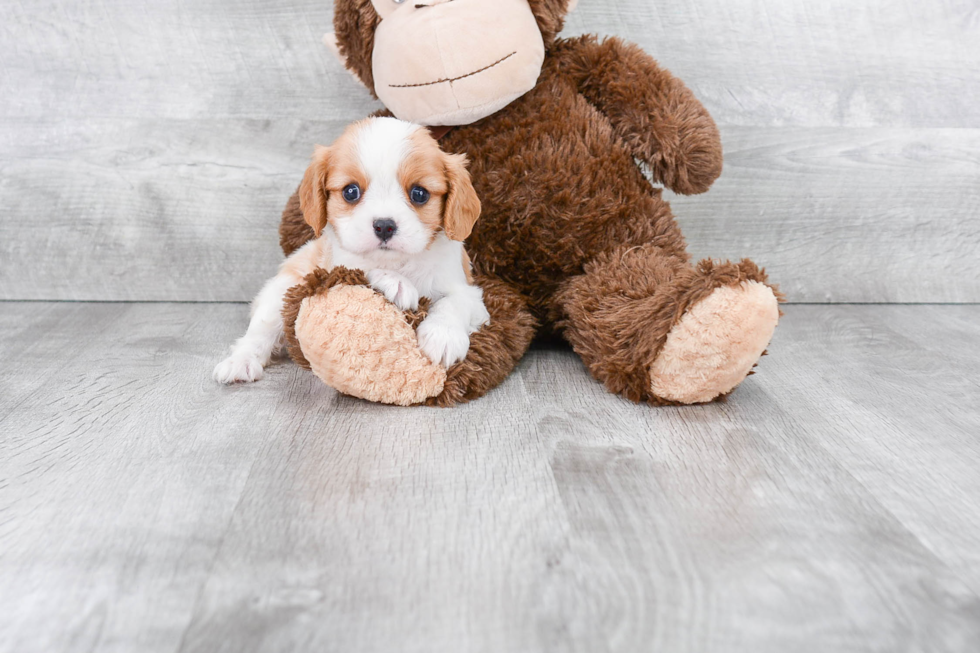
(842, 215)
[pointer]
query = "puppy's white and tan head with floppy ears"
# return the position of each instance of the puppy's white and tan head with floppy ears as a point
(385, 186)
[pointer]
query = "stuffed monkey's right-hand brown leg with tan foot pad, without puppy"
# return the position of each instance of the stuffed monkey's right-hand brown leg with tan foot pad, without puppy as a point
(653, 328)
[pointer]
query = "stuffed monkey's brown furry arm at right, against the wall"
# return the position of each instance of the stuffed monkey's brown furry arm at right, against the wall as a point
(658, 117)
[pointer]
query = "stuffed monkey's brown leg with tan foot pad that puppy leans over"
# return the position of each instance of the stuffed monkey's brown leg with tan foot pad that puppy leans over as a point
(362, 345)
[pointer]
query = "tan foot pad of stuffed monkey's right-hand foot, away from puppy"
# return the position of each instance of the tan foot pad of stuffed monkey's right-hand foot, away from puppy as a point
(715, 345)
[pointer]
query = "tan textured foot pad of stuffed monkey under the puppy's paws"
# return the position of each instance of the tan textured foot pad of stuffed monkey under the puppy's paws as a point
(361, 345)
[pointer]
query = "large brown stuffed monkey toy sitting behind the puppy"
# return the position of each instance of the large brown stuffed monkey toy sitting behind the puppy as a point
(573, 240)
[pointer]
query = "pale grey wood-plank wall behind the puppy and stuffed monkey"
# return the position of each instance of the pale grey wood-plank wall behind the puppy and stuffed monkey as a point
(146, 148)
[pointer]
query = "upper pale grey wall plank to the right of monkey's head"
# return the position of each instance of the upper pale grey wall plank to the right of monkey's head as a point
(875, 63)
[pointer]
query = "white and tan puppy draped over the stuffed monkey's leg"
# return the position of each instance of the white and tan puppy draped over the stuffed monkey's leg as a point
(386, 200)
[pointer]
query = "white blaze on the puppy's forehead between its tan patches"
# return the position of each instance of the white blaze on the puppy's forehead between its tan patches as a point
(382, 146)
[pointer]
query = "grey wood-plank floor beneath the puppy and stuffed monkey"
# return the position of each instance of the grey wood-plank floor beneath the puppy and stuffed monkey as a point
(831, 504)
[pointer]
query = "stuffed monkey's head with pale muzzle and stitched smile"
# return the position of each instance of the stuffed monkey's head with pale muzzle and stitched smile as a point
(446, 62)
